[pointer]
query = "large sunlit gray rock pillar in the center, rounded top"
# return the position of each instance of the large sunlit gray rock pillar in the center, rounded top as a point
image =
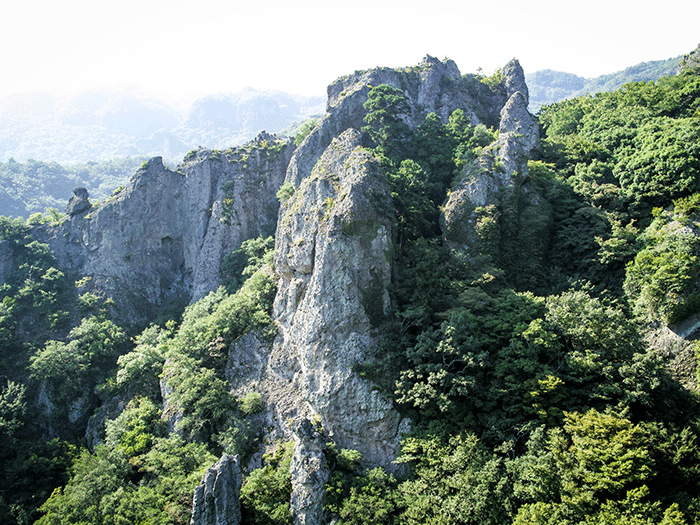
(333, 253)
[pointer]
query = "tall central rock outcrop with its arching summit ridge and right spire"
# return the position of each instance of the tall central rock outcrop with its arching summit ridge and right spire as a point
(334, 255)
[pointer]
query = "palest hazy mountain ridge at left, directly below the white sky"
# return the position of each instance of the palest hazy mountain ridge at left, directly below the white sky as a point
(104, 124)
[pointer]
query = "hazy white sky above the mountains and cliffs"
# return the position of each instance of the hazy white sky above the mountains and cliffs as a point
(181, 48)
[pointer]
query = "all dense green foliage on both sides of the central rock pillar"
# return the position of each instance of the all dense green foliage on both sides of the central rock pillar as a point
(539, 369)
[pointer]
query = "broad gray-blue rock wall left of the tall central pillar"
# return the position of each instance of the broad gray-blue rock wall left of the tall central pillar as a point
(162, 240)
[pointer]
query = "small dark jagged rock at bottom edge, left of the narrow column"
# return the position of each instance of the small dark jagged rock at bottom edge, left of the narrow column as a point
(216, 499)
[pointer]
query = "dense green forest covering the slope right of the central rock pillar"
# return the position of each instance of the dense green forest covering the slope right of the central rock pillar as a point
(543, 399)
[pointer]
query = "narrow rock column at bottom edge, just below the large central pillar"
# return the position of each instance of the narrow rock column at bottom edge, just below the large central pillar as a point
(310, 472)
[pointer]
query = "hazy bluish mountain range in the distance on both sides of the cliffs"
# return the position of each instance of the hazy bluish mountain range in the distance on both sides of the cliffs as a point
(98, 138)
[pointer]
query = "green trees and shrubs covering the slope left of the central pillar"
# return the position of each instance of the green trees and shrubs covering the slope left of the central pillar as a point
(146, 468)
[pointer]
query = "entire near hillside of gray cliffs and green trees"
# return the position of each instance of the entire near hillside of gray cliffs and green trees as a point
(428, 307)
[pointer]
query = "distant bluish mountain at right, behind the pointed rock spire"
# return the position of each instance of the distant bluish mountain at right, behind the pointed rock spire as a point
(548, 86)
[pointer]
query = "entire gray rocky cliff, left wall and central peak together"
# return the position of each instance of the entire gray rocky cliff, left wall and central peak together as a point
(162, 240)
